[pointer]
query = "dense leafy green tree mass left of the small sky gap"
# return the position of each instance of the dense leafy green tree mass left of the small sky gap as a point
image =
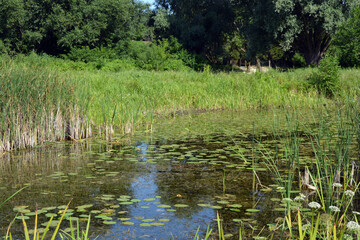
(56, 26)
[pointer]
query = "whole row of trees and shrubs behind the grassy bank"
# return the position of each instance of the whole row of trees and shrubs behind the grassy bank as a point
(180, 34)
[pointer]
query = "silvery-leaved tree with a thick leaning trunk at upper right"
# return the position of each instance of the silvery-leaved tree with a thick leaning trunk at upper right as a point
(306, 26)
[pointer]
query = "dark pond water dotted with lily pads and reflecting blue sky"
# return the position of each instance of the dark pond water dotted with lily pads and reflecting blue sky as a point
(163, 185)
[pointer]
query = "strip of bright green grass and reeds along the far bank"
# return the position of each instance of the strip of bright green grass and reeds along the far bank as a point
(44, 100)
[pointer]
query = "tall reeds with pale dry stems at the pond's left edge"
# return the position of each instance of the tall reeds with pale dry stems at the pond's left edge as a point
(37, 105)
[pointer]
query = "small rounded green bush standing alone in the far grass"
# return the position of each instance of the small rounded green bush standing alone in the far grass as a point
(326, 77)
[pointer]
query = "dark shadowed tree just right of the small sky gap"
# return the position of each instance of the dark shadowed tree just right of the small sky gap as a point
(200, 25)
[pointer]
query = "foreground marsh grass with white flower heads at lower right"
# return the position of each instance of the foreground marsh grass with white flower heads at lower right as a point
(332, 178)
